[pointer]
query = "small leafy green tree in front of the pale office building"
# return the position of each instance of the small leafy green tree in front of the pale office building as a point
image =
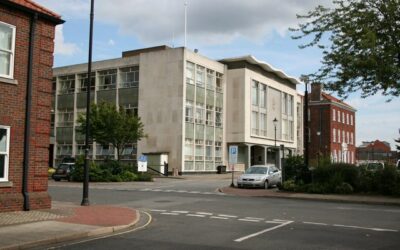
(111, 126)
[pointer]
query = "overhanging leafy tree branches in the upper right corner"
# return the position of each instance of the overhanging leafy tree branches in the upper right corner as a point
(363, 50)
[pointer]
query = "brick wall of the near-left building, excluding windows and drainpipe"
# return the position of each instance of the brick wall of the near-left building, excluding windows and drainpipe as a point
(12, 106)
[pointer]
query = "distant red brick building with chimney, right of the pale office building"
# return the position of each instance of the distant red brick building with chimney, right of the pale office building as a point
(332, 126)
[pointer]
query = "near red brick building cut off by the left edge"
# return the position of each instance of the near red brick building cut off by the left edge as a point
(26, 59)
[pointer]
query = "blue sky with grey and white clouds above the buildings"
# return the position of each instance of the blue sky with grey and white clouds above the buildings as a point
(218, 29)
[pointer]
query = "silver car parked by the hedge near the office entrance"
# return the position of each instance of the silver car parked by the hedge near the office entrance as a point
(260, 176)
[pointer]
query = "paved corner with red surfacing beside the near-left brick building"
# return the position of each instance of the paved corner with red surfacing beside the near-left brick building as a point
(63, 222)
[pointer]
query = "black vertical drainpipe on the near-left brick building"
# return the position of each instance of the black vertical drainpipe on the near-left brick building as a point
(28, 109)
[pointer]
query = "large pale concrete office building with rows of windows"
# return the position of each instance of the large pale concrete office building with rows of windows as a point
(192, 107)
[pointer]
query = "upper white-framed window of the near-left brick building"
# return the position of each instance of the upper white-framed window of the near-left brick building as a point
(7, 47)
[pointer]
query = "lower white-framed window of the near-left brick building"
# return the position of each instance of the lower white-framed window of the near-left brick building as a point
(4, 152)
